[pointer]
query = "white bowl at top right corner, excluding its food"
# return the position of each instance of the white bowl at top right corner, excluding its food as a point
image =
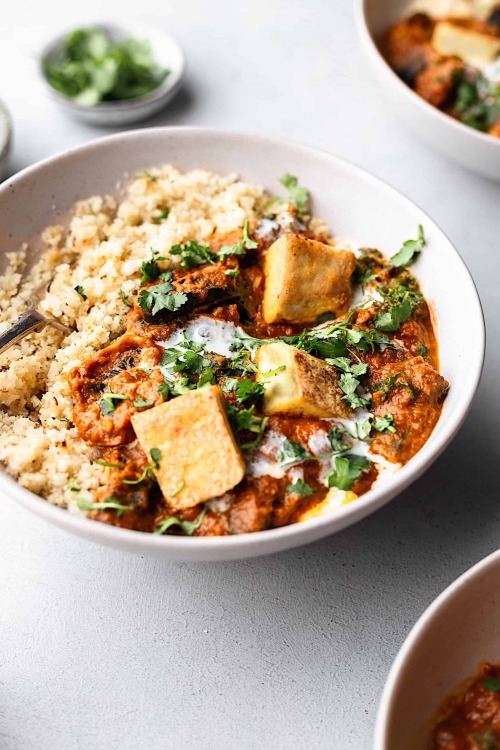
(473, 149)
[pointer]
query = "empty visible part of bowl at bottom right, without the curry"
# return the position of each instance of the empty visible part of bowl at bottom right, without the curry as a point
(454, 635)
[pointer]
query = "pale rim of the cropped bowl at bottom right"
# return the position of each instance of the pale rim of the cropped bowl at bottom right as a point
(417, 632)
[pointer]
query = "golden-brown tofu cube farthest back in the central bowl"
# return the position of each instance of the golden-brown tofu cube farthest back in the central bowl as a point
(304, 279)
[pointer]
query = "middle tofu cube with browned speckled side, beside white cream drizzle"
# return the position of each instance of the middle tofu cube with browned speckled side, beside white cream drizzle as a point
(307, 385)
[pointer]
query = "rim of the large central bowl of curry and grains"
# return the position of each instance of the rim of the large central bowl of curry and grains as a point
(305, 531)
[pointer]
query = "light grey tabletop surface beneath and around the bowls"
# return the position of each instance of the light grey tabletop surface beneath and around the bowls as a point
(100, 650)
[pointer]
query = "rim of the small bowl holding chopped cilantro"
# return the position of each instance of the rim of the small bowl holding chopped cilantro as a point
(165, 88)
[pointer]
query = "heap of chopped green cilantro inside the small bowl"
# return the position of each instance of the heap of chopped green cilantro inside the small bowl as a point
(93, 68)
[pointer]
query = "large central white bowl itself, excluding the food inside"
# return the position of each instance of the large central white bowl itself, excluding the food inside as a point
(356, 205)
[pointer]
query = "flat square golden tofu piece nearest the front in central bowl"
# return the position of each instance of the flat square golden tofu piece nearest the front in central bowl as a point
(199, 455)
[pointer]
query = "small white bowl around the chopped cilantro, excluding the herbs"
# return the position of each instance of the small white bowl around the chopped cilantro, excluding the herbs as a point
(165, 51)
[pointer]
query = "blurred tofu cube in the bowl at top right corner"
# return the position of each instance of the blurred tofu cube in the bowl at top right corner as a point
(473, 47)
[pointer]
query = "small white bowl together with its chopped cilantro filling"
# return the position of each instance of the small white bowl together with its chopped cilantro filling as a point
(110, 75)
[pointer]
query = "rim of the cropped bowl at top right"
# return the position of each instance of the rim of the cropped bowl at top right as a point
(360, 13)
